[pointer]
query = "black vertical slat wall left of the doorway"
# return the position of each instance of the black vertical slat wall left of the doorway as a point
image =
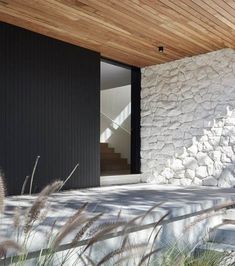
(50, 106)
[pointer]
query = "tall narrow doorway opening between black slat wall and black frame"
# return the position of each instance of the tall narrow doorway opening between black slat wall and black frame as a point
(115, 119)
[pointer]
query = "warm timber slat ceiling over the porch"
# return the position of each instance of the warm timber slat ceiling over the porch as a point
(130, 31)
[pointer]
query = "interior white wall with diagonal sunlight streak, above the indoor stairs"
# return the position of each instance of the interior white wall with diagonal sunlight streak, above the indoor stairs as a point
(116, 105)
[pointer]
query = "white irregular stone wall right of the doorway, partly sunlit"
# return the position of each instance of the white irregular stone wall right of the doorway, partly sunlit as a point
(188, 121)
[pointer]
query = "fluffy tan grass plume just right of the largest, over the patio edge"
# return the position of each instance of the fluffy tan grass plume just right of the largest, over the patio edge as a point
(74, 221)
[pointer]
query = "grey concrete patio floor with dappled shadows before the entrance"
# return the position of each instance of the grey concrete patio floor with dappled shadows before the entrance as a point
(131, 199)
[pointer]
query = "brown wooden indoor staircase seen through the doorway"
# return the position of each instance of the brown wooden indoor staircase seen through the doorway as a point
(111, 162)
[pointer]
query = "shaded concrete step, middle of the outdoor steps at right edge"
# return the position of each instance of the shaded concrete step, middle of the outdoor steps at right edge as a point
(223, 234)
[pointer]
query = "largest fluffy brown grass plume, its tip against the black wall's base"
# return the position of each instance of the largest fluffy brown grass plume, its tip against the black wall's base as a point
(39, 203)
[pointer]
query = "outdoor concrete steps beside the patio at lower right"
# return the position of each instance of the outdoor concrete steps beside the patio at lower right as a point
(222, 238)
